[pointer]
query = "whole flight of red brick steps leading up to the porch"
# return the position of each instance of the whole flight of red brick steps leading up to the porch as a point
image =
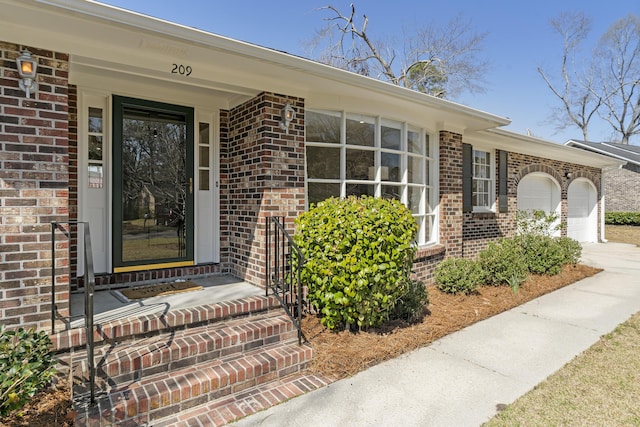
(231, 358)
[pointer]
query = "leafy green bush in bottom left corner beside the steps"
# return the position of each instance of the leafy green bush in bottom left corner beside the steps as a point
(26, 366)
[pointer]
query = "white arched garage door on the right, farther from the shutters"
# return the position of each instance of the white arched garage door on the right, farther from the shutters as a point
(582, 221)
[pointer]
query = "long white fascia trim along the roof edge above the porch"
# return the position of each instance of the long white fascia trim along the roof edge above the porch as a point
(191, 35)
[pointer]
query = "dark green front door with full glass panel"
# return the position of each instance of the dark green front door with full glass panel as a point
(152, 184)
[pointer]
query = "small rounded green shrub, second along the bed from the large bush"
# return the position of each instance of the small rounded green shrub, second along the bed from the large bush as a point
(503, 262)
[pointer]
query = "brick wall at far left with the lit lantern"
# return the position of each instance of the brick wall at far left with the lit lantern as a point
(33, 188)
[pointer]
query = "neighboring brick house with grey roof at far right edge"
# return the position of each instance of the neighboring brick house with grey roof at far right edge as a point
(620, 183)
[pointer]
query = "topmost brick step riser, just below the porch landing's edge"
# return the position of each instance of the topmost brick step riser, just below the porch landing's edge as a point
(126, 369)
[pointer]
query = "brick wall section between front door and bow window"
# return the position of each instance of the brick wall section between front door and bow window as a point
(262, 174)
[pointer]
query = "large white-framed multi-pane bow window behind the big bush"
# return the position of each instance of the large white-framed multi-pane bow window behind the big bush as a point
(350, 154)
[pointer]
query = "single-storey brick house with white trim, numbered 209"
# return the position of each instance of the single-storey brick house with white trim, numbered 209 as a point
(236, 133)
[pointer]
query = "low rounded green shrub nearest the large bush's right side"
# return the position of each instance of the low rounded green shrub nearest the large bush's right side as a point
(458, 276)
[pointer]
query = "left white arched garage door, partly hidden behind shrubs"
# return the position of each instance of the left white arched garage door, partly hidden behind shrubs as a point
(539, 192)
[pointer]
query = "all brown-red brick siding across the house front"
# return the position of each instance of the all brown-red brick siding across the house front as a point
(262, 173)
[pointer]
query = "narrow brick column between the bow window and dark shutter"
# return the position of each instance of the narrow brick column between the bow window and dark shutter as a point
(451, 217)
